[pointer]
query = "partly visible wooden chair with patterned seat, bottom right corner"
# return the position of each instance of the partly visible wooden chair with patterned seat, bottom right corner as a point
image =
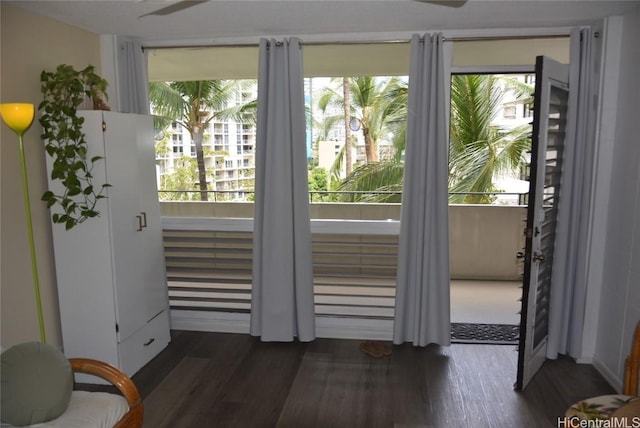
(604, 406)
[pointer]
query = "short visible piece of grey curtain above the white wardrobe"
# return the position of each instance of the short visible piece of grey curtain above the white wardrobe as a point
(133, 77)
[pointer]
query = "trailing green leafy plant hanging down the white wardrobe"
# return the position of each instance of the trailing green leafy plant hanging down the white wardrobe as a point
(65, 90)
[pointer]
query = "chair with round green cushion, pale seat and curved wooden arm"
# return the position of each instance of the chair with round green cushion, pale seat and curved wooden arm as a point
(38, 388)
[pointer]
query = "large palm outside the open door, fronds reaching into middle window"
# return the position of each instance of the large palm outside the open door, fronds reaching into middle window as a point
(478, 150)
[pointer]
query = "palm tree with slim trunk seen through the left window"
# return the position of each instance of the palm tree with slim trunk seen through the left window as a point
(194, 104)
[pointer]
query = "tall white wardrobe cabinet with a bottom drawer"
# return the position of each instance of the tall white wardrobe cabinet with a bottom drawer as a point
(110, 269)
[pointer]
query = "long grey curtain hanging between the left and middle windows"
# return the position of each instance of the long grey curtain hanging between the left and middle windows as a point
(282, 305)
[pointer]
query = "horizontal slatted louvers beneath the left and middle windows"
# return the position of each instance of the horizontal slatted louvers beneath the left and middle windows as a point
(209, 269)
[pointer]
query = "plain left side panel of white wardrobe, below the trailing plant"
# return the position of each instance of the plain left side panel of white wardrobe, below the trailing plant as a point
(84, 269)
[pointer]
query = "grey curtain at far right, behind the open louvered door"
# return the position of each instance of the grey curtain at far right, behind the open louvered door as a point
(568, 287)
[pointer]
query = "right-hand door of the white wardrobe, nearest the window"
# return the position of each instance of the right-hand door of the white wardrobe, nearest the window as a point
(153, 268)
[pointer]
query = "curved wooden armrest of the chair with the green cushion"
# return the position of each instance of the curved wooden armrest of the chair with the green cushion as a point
(120, 380)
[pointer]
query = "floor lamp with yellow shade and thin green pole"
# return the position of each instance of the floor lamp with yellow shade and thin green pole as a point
(19, 117)
